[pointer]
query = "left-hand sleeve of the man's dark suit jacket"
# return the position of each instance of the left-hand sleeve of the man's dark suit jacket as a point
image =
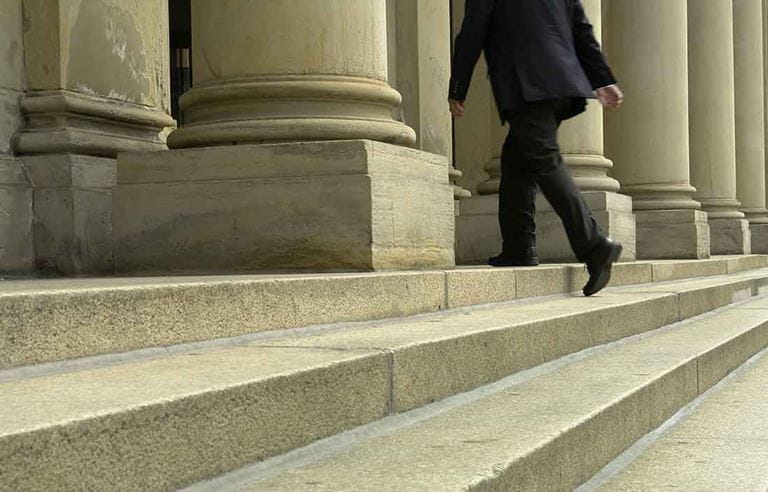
(469, 44)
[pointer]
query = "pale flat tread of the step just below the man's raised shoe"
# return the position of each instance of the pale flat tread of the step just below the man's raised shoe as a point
(94, 391)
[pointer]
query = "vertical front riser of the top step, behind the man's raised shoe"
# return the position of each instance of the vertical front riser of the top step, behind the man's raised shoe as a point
(51, 320)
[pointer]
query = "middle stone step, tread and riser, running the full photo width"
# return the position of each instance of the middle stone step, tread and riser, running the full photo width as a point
(163, 419)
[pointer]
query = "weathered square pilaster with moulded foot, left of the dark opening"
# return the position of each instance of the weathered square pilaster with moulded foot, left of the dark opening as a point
(98, 77)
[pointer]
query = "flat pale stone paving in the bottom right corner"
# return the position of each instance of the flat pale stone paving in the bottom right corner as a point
(721, 444)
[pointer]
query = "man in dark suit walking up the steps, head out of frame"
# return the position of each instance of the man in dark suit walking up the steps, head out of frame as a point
(544, 62)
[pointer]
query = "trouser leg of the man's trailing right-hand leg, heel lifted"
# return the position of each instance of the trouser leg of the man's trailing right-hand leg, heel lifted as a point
(533, 132)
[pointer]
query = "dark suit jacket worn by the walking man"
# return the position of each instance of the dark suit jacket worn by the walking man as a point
(535, 49)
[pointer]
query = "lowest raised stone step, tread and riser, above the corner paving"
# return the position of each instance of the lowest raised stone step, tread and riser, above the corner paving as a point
(523, 438)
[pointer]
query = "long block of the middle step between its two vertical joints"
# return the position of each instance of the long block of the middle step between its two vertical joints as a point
(448, 353)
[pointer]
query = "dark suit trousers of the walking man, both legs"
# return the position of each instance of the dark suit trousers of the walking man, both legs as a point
(531, 159)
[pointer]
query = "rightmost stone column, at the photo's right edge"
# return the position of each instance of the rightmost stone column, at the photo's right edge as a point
(750, 122)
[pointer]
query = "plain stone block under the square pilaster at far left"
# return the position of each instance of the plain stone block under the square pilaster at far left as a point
(73, 212)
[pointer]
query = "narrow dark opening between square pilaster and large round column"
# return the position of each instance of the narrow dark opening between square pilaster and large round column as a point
(180, 15)
